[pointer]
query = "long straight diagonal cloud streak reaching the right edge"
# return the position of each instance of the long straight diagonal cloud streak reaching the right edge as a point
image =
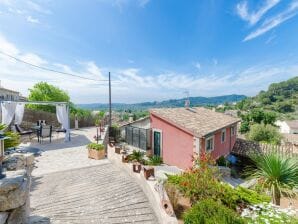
(274, 21)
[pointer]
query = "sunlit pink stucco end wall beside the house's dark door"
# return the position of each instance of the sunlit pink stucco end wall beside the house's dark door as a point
(177, 145)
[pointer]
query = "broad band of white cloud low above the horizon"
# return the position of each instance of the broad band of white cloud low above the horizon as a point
(130, 84)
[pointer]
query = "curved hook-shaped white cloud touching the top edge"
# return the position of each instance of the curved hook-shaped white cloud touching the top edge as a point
(253, 17)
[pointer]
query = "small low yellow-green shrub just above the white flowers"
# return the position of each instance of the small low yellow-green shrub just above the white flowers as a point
(251, 197)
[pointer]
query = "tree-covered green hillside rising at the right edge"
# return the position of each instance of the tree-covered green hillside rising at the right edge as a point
(281, 98)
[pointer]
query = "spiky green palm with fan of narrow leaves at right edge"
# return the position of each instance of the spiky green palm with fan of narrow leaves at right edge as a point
(276, 173)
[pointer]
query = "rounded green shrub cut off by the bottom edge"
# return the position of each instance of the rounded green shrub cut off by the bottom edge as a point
(211, 212)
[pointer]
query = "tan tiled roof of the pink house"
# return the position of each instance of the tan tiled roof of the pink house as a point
(198, 120)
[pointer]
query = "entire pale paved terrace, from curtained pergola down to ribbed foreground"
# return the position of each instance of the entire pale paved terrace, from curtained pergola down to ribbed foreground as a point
(70, 188)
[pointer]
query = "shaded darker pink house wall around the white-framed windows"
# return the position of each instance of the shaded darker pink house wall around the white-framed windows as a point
(222, 148)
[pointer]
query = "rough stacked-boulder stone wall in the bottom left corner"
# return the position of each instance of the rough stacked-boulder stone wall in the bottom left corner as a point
(15, 189)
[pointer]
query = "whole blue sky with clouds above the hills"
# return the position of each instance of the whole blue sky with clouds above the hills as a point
(155, 49)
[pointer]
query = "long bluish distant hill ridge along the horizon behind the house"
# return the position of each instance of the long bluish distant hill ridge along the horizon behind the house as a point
(194, 101)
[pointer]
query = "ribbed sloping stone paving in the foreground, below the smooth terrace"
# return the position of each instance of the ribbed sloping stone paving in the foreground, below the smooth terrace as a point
(95, 194)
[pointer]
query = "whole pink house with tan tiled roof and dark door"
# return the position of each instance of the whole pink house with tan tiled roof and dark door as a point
(178, 133)
